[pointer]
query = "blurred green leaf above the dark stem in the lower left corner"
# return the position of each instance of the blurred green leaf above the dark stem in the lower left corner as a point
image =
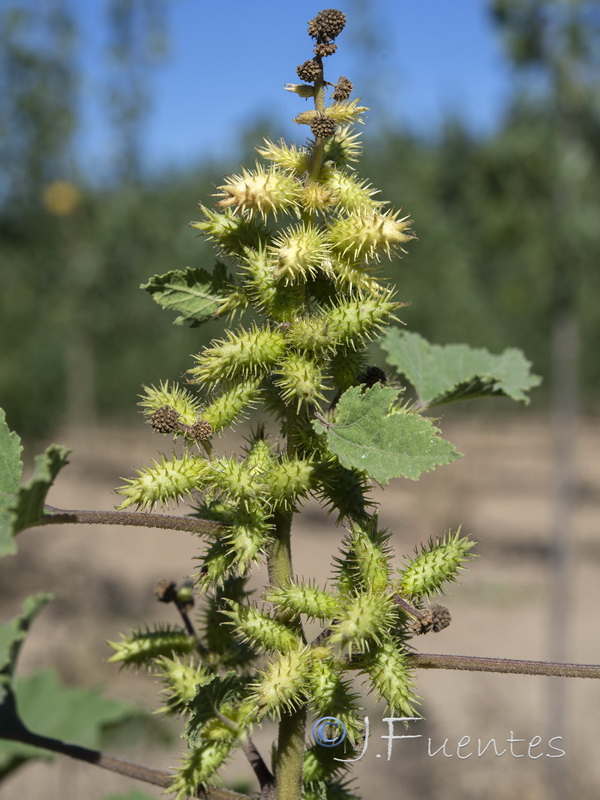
(70, 714)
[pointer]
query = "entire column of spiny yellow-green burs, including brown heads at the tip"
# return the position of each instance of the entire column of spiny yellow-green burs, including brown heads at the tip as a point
(299, 237)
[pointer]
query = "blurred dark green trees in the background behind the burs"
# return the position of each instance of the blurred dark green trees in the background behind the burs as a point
(77, 336)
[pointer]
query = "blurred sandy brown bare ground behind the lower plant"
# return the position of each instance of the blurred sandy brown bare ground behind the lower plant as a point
(501, 493)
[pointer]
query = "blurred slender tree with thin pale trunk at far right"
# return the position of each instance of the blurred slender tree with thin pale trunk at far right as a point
(556, 45)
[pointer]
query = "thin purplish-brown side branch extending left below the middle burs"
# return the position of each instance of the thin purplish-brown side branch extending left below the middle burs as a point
(60, 516)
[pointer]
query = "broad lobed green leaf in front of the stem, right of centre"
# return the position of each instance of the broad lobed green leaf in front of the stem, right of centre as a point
(385, 443)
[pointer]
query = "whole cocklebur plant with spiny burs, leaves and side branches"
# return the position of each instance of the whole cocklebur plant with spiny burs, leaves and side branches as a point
(299, 240)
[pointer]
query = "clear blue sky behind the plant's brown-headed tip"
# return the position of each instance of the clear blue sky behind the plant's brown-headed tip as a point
(229, 60)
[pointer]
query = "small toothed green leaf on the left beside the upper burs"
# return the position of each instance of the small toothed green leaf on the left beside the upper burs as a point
(195, 294)
